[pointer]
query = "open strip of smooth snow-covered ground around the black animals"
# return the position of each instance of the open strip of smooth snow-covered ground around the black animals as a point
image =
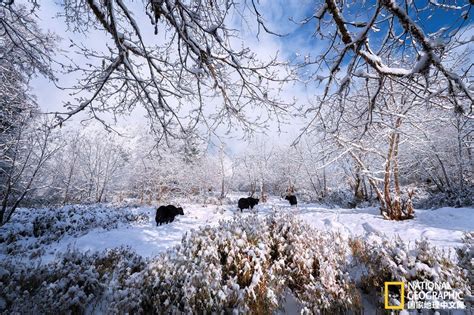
(442, 227)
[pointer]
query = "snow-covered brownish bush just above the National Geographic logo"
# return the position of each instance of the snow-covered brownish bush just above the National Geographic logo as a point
(377, 260)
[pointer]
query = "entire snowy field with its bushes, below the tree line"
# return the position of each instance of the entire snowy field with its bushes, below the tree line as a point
(44, 268)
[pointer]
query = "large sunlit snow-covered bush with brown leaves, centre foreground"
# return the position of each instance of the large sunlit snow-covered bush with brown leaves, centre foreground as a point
(246, 264)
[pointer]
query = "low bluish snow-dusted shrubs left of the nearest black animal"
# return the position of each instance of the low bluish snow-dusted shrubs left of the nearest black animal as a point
(30, 229)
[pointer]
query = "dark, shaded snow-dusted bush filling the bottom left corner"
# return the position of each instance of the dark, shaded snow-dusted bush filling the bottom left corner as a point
(75, 283)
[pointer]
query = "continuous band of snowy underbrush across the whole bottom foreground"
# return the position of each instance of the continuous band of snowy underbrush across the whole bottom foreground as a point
(244, 265)
